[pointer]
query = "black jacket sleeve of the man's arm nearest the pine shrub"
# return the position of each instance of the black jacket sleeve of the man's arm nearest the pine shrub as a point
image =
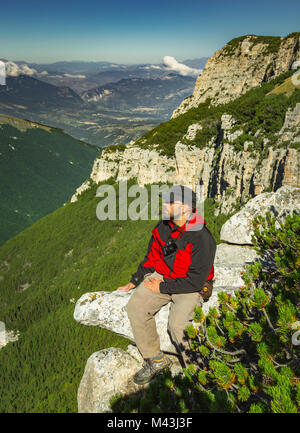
(202, 257)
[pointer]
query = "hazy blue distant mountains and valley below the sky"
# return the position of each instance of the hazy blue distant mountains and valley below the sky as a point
(136, 99)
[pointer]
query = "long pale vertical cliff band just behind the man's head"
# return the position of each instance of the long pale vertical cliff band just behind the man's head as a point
(227, 175)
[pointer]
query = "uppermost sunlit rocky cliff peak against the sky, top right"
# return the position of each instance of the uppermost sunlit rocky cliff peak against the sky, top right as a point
(243, 63)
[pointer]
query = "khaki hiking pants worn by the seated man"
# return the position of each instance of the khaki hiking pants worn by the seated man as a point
(141, 308)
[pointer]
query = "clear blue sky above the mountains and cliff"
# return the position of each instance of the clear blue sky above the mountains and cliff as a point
(132, 31)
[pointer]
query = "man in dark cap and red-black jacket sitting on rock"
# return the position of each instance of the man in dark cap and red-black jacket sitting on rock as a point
(177, 267)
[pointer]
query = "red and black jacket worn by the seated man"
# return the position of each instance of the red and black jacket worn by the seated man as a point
(190, 266)
